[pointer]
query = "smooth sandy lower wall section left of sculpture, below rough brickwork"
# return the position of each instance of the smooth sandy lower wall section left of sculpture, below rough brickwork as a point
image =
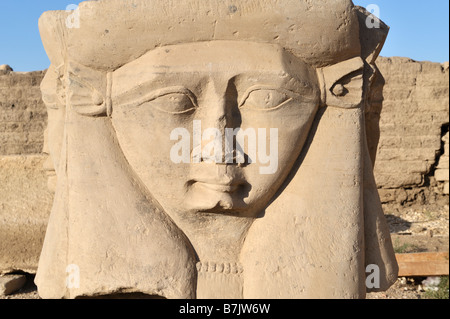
(25, 204)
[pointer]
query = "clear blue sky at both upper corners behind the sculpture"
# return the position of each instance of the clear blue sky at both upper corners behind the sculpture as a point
(419, 30)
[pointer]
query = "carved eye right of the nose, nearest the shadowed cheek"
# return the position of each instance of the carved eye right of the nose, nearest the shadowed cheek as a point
(266, 99)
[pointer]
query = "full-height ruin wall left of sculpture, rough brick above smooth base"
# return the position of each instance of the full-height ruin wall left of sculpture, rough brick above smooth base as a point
(25, 202)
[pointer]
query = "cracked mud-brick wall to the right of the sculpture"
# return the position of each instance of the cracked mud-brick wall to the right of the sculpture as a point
(414, 120)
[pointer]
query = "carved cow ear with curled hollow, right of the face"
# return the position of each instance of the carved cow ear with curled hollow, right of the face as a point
(342, 84)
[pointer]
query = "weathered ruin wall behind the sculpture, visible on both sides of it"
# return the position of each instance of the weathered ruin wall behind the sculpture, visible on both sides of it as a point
(412, 163)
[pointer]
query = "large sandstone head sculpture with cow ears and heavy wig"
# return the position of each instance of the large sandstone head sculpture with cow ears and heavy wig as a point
(137, 214)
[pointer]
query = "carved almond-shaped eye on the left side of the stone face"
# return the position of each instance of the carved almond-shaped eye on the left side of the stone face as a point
(173, 101)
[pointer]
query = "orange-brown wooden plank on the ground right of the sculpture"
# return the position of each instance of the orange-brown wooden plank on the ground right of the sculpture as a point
(423, 264)
